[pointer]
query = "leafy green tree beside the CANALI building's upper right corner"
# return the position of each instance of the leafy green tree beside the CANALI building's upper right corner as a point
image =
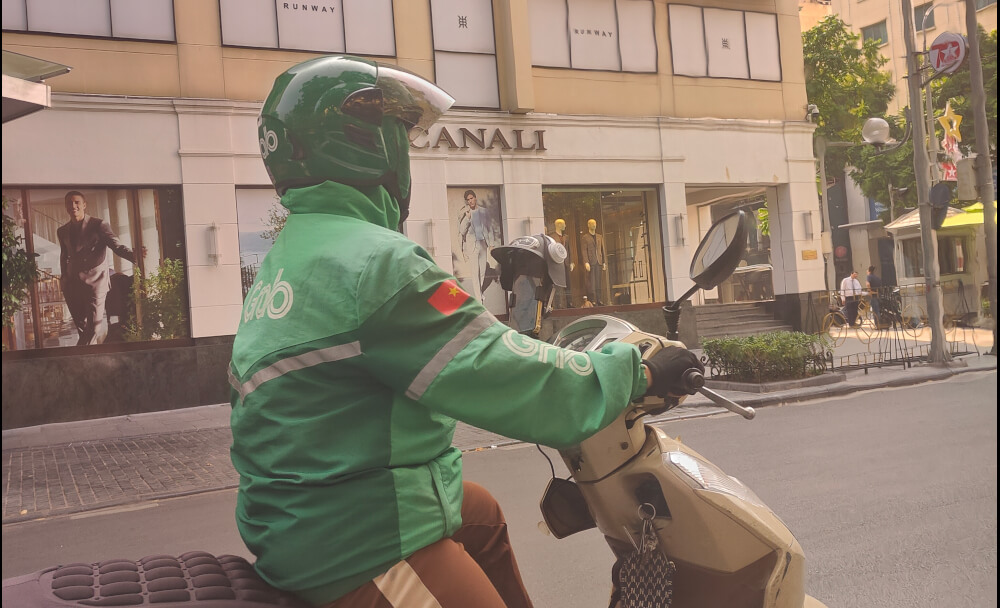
(845, 81)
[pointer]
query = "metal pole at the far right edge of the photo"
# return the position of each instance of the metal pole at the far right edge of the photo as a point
(984, 170)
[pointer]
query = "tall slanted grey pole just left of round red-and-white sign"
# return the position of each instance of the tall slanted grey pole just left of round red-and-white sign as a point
(921, 170)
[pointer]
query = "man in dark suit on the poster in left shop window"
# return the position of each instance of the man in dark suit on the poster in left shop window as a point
(84, 242)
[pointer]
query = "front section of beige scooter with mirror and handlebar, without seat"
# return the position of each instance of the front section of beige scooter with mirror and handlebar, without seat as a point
(646, 492)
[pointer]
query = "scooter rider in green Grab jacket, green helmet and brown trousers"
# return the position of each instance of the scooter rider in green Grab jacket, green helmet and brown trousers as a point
(356, 353)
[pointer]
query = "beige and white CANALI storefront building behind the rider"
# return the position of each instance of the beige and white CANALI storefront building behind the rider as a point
(645, 119)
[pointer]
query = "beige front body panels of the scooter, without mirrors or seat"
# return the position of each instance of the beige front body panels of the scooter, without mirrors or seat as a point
(729, 548)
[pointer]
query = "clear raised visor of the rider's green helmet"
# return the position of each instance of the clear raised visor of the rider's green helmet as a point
(415, 101)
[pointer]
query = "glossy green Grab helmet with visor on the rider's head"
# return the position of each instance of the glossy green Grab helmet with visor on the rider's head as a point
(345, 119)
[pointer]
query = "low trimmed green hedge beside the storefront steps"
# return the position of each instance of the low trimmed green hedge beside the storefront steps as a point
(780, 355)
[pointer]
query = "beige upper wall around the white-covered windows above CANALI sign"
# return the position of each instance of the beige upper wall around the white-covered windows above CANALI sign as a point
(198, 66)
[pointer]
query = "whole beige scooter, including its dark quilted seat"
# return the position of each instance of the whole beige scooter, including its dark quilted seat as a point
(685, 533)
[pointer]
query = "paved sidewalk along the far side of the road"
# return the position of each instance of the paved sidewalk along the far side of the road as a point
(71, 467)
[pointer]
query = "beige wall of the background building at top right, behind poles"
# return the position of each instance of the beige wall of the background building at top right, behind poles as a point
(948, 17)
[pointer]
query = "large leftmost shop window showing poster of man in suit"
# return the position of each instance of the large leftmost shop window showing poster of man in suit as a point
(111, 266)
